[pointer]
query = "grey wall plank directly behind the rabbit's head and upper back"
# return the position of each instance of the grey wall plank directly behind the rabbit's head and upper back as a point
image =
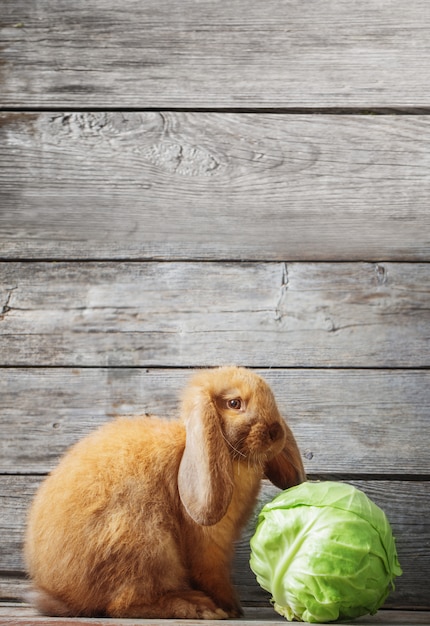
(346, 422)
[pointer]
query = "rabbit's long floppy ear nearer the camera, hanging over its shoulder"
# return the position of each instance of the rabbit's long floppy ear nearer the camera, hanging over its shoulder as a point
(205, 477)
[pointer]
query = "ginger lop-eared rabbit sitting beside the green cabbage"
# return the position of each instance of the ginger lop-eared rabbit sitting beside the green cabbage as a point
(139, 518)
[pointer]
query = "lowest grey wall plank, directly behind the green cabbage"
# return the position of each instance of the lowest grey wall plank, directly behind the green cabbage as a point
(405, 503)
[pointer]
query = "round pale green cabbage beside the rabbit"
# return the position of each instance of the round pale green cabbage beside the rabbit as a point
(325, 552)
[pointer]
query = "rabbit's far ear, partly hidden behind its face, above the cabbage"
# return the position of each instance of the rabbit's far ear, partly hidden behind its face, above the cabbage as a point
(286, 468)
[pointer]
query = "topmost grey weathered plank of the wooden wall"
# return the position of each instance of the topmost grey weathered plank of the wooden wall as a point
(197, 54)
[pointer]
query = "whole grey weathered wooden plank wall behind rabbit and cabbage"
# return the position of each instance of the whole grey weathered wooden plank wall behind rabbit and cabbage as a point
(199, 183)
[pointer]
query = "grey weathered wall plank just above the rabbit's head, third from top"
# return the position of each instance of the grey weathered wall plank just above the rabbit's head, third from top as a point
(191, 314)
